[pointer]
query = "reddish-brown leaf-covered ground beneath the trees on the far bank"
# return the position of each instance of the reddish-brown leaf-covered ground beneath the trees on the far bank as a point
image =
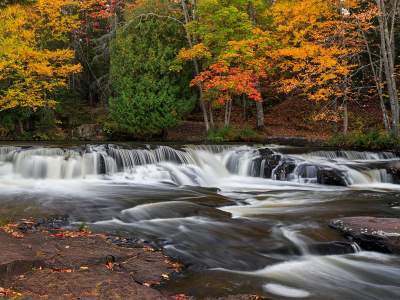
(289, 121)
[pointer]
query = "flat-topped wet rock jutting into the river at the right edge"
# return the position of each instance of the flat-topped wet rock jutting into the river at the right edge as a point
(370, 233)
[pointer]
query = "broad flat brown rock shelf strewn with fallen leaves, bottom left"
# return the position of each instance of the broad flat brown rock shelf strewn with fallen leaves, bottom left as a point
(40, 260)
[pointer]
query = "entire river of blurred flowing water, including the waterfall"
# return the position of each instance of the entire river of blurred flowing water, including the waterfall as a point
(243, 219)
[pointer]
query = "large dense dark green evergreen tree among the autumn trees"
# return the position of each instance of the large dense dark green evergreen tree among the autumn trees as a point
(148, 95)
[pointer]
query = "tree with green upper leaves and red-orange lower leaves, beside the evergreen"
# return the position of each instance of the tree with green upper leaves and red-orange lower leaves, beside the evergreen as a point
(219, 24)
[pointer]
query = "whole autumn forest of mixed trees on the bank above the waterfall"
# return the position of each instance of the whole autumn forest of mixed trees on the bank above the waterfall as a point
(241, 69)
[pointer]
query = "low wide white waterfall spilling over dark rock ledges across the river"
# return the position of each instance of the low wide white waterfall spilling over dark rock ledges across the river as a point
(200, 165)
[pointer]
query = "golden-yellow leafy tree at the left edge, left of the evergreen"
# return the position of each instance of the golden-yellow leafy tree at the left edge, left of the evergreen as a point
(34, 62)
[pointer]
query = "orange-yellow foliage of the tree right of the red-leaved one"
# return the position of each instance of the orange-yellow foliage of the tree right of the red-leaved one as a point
(314, 53)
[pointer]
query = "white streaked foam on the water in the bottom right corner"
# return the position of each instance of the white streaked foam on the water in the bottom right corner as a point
(354, 275)
